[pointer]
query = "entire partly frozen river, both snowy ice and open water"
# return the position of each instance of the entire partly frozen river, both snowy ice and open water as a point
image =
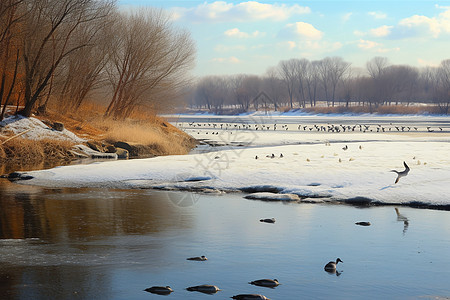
(108, 230)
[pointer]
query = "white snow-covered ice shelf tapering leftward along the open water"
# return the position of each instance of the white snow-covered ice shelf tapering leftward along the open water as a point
(360, 173)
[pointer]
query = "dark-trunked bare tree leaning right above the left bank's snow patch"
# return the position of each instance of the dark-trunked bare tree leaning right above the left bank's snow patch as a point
(49, 38)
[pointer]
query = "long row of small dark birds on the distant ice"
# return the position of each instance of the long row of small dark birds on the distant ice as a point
(332, 128)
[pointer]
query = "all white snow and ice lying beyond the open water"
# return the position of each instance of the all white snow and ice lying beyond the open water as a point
(314, 166)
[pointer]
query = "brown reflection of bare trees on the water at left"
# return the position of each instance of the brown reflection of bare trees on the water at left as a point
(74, 214)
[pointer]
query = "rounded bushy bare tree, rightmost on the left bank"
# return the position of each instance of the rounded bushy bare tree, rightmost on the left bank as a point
(149, 62)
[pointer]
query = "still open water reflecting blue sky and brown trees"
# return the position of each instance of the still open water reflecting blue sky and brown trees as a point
(112, 244)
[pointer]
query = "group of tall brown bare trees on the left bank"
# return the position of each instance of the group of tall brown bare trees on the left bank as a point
(67, 51)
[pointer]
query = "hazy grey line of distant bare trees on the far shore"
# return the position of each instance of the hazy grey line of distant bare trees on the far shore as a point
(304, 83)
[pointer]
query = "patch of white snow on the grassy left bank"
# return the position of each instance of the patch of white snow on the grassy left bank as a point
(37, 130)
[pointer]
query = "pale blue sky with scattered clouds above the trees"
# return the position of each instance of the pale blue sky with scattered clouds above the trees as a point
(249, 37)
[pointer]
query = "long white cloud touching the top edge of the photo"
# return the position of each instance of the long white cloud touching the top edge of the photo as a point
(222, 11)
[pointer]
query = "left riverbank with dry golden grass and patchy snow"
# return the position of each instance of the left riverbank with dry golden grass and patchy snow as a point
(52, 139)
